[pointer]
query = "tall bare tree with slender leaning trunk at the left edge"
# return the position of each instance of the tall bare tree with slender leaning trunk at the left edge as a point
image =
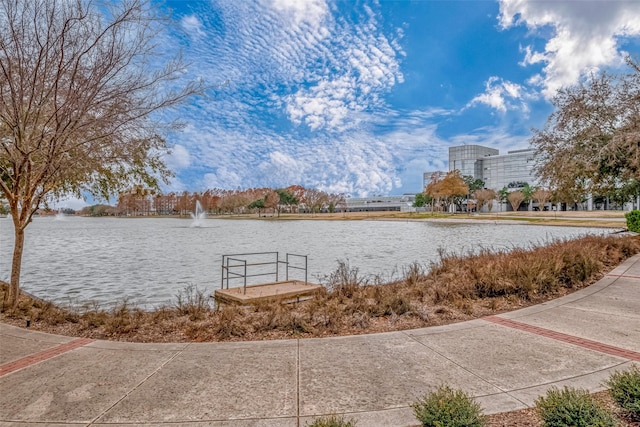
(77, 101)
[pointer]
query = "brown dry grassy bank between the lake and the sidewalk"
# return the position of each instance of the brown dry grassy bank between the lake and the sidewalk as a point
(454, 288)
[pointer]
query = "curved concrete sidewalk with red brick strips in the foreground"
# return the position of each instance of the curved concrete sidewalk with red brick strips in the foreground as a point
(504, 361)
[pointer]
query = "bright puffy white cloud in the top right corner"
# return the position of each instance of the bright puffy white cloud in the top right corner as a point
(585, 36)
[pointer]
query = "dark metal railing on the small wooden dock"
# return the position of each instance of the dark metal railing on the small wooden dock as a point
(258, 264)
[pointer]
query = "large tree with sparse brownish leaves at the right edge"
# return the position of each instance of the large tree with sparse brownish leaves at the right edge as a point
(589, 144)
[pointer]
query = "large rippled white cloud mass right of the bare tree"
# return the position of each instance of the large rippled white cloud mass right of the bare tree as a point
(298, 106)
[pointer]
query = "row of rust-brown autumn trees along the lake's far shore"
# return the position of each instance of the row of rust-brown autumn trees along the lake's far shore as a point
(140, 201)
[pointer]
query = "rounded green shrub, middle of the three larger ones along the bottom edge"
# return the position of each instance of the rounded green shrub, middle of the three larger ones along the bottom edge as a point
(572, 407)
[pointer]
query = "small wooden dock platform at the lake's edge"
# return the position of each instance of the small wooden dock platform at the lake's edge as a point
(287, 291)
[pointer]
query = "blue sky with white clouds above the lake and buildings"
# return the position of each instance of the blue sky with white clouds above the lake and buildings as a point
(362, 97)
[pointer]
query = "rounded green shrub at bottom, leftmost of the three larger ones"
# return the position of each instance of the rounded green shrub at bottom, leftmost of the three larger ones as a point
(450, 408)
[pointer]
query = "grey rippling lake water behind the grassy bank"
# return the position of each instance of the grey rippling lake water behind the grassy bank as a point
(149, 260)
